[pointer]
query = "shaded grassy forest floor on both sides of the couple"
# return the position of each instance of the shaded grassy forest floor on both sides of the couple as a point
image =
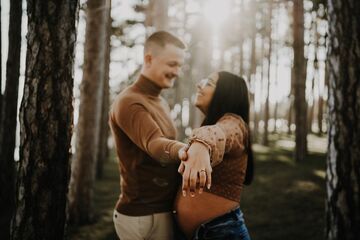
(286, 201)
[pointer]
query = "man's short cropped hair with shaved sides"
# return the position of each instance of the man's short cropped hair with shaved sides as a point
(162, 38)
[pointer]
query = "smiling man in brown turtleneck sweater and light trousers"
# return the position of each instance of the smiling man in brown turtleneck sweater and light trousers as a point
(145, 142)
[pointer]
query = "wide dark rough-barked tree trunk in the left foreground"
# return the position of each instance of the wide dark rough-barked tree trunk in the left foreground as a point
(46, 119)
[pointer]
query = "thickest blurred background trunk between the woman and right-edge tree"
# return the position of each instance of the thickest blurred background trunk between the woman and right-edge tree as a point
(299, 82)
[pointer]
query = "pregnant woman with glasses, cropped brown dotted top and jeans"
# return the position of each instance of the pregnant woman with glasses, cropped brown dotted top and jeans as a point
(215, 214)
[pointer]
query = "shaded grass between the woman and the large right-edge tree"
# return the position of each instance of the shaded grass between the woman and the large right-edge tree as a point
(287, 199)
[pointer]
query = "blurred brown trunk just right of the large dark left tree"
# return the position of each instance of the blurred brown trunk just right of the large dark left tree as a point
(88, 129)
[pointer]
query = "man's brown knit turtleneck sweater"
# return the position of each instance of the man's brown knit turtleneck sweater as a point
(148, 154)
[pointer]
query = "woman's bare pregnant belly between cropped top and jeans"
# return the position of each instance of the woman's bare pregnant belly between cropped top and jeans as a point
(192, 211)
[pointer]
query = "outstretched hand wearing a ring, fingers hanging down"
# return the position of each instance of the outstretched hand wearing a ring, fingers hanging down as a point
(196, 167)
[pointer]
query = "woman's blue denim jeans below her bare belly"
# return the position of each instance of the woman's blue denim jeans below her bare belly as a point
(230, 226)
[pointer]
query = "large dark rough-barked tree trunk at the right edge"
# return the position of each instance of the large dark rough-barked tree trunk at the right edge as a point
(343, 162)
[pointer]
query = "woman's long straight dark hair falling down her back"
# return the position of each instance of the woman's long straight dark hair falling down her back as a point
(231, 96)
